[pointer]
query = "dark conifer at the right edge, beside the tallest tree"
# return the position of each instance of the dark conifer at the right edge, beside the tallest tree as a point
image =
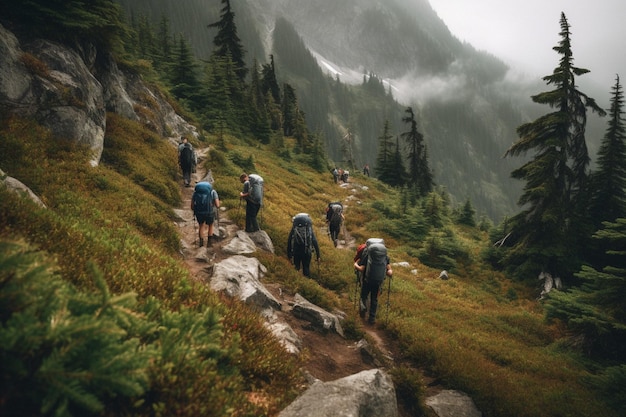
(609, 180)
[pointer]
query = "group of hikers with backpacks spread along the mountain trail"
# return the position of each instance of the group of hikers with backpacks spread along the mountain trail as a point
(371, 263)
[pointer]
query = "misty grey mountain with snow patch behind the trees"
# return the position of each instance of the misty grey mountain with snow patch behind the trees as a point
(462, 101)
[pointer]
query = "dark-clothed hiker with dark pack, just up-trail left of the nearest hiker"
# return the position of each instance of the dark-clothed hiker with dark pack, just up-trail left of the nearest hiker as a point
(301, 242)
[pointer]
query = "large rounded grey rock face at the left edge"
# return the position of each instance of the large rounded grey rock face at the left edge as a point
(53, 84)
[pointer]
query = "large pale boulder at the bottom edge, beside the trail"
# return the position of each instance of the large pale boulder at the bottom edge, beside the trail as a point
(367, 394)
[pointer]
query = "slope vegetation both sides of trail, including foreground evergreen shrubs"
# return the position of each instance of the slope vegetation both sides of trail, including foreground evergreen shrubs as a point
(108, 233)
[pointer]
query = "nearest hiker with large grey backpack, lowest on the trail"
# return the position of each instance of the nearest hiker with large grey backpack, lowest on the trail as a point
(375, 267)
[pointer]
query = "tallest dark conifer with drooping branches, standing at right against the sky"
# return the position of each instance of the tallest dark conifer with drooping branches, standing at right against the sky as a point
(545, 233)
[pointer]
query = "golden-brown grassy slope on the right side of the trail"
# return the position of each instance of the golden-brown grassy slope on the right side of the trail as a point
(477, 332)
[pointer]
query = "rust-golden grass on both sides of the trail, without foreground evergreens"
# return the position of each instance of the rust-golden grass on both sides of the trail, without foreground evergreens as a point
(476, 332)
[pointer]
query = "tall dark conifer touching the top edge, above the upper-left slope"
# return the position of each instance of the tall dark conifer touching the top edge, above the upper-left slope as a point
(227, 42)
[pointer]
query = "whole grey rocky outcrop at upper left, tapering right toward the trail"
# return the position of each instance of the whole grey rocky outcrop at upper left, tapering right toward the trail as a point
(69, 91)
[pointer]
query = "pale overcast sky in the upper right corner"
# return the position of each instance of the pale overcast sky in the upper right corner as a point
(522, 33)
